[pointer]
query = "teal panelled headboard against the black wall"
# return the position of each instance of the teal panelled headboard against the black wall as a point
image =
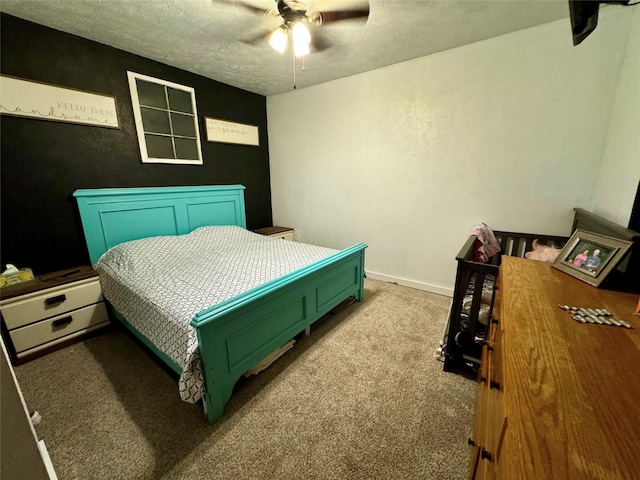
(114, 215)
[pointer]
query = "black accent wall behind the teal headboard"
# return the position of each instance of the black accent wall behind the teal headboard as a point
(44, 162)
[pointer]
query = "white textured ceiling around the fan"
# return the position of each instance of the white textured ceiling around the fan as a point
(209, 37)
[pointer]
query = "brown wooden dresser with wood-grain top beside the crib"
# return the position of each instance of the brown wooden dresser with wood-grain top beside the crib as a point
(557, 399)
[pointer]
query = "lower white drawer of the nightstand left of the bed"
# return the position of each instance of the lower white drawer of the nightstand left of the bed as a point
(31, 336)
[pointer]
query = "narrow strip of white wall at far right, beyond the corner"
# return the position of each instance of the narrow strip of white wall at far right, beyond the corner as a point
(620, 171)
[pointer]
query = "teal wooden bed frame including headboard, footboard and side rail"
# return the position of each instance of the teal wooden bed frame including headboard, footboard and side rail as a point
(236, 334)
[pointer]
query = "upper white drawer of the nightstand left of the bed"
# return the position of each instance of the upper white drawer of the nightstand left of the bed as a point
(47, 303)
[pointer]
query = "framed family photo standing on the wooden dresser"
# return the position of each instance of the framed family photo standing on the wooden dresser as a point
(590, 257)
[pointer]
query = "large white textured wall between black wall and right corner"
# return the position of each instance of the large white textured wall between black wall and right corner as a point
(508, 131)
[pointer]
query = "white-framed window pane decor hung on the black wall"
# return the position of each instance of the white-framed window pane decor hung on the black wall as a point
(166, 120)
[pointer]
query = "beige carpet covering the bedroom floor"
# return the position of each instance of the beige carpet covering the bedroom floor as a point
(362, 398)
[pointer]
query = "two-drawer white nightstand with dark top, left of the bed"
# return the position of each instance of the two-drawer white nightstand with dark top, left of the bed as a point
(52, 310)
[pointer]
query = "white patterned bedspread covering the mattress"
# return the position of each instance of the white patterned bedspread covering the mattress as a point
(159, 283)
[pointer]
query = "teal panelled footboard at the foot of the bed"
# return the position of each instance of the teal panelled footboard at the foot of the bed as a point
(235, 335)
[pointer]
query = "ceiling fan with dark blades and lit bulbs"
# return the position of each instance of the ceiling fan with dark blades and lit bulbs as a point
(297, 21)
